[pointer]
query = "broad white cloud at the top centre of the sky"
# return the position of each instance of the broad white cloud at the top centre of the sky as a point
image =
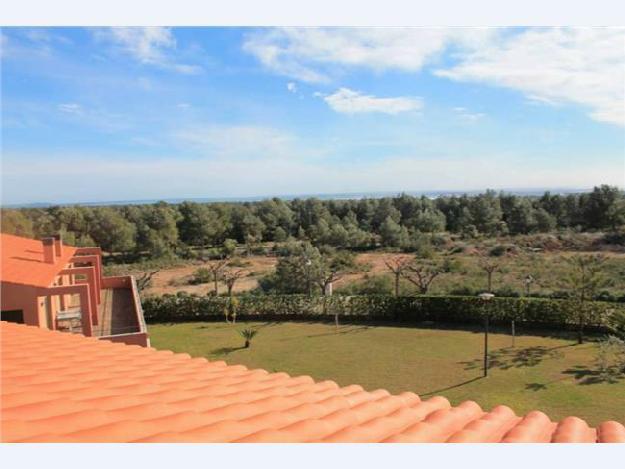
(304, 53)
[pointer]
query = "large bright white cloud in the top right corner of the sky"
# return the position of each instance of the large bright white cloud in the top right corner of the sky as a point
(584, 66)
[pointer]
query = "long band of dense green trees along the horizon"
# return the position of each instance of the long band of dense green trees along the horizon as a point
(163, 229)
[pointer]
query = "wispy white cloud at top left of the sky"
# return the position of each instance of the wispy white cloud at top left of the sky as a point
(148, 45)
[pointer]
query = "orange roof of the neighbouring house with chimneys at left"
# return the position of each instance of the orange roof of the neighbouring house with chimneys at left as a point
(22, 261)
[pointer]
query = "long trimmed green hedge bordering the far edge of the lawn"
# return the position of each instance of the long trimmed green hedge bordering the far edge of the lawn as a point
(462, 309)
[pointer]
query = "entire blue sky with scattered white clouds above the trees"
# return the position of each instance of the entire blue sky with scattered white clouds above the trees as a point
(94, 114)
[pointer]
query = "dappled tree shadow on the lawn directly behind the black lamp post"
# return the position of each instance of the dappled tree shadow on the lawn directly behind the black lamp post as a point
(507, 358)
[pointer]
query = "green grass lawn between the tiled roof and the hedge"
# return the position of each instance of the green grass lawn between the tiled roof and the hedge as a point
(545, 373)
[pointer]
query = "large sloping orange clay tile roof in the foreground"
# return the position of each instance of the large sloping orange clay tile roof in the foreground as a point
(60, 387)
